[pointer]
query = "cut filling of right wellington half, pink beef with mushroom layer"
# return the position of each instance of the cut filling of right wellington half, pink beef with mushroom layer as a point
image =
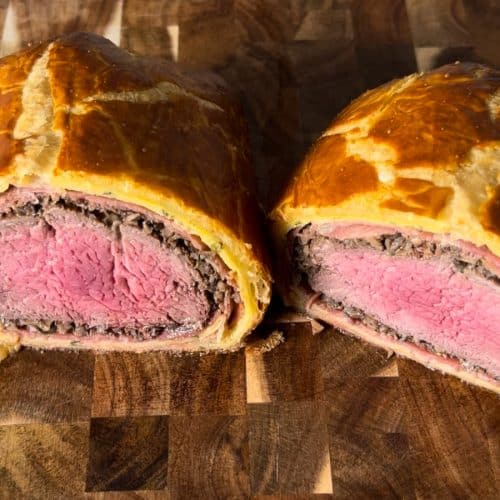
(443, 296)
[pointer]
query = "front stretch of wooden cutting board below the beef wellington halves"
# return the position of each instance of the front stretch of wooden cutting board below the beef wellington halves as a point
(322, 414)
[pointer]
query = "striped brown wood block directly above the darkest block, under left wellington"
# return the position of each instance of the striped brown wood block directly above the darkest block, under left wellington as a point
(131, 384)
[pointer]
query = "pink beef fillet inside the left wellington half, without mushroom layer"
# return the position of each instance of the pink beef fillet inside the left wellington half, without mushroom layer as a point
(65, 266)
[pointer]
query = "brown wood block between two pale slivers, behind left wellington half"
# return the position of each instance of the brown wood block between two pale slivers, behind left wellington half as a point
(38, 21)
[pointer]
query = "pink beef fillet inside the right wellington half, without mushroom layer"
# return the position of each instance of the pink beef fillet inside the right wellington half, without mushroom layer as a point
(425, 298)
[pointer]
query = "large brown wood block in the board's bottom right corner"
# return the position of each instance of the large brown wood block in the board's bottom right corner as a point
(452, 430)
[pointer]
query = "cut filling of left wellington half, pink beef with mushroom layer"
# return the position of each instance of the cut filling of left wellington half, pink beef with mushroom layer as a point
(86, 266)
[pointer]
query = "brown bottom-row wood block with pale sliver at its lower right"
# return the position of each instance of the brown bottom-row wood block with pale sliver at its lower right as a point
(288, 449)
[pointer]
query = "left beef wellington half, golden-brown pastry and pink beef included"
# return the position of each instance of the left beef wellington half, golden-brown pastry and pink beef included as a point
(127, 213)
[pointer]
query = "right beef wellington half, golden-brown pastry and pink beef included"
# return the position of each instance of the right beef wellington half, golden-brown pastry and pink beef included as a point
(391, 225)
